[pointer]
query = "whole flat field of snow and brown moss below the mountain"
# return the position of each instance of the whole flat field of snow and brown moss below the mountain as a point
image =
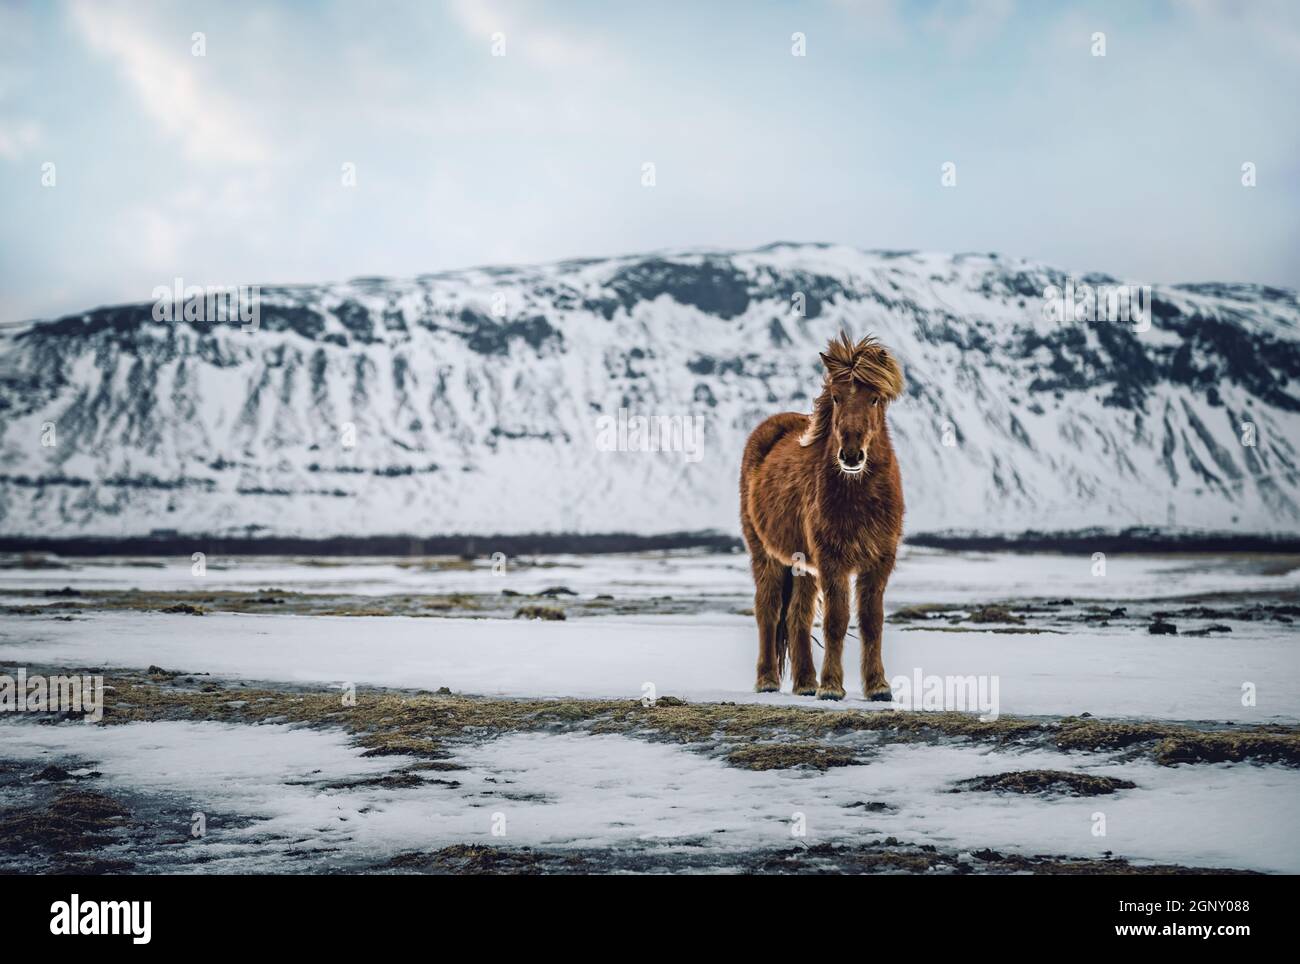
(1181, 746)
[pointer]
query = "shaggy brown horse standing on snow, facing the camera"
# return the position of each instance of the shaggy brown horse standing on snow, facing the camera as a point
(821, 500)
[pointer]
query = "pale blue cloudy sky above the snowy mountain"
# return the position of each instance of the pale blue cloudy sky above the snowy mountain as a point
(228, 167)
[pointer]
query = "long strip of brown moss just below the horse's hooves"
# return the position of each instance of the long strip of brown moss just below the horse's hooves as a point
(423, 724)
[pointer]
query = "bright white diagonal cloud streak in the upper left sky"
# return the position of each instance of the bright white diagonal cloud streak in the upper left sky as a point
(207, 124)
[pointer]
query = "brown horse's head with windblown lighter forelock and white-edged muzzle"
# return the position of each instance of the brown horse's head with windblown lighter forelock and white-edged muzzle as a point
(861, 380)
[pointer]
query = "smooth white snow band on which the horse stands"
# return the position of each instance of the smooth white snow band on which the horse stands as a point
(699, 658)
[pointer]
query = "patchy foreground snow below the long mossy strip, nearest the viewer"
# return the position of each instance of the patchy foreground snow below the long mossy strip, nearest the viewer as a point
(593, 792)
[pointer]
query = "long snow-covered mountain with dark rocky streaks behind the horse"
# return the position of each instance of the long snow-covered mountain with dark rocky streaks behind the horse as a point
(487, 401)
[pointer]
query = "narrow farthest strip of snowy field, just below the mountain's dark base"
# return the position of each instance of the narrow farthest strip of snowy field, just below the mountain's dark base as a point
(922, 576)
